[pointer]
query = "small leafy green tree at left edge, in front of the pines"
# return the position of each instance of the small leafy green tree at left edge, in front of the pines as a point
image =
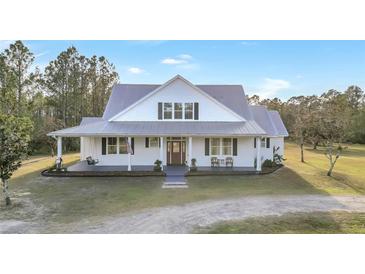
(14, 139)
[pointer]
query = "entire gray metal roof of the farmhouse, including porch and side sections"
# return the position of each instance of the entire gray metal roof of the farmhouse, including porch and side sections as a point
(259, 121)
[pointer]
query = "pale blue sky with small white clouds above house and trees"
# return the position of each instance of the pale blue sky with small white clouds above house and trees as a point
(268, 68)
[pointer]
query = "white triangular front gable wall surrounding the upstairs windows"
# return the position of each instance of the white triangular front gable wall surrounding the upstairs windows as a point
(178, 90)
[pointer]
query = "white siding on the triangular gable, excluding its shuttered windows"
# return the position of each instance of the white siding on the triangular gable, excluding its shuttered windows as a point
(178, 92)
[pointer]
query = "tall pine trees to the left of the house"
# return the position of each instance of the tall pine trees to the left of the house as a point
(69, 87)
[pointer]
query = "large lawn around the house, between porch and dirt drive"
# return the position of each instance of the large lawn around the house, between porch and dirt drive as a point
(58, 202)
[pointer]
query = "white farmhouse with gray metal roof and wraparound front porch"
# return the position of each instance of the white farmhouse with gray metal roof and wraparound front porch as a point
(176, 122)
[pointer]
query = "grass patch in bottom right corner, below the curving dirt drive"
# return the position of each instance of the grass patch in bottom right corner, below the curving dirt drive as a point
(305, 223)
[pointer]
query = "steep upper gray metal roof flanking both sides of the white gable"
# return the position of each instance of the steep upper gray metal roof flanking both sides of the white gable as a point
(124, 95)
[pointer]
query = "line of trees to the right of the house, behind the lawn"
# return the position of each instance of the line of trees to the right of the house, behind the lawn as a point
(330, 119)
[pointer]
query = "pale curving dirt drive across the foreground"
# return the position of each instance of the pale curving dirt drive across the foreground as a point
(183, 219)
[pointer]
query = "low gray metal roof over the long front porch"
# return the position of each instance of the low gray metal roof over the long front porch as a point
(162, 128)
